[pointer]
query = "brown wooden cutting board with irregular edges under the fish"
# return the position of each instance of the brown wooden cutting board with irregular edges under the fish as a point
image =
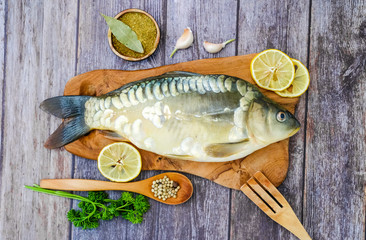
(271, 160)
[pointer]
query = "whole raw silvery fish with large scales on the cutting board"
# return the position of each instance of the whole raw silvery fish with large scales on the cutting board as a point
(181, 115)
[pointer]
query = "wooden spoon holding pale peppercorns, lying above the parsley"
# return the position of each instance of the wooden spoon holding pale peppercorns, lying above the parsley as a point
(142, 187)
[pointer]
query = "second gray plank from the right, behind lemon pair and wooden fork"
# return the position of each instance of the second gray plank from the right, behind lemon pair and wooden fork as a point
(282, 25)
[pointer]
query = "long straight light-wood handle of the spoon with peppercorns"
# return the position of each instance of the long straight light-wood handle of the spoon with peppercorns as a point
(87, 185)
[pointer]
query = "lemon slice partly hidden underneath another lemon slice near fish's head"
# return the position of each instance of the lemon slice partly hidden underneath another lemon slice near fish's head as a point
(300, 83)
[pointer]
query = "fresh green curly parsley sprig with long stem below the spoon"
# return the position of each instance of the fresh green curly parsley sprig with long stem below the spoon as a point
(98, 206)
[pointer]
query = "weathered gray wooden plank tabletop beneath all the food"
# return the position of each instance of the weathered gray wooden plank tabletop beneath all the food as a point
(45, 43)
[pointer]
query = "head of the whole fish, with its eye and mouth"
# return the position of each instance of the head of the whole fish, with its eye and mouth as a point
(268, 122)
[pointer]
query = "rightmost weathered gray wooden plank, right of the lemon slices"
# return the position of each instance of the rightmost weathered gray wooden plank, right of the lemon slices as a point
(335, 168)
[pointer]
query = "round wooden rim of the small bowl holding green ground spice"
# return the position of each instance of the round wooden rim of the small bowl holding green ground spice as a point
(156, 40)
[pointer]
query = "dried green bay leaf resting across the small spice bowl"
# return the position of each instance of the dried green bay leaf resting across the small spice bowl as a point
(124, 34)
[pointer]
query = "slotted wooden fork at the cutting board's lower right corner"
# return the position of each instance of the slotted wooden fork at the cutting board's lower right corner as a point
(266, 196)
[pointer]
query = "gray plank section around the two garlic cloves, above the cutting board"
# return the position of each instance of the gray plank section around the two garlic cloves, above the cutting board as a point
(211, 21)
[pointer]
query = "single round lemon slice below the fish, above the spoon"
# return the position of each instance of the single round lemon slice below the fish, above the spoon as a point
(119, 162)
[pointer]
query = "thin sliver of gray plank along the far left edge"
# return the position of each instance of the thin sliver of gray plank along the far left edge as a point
(3, 6)
